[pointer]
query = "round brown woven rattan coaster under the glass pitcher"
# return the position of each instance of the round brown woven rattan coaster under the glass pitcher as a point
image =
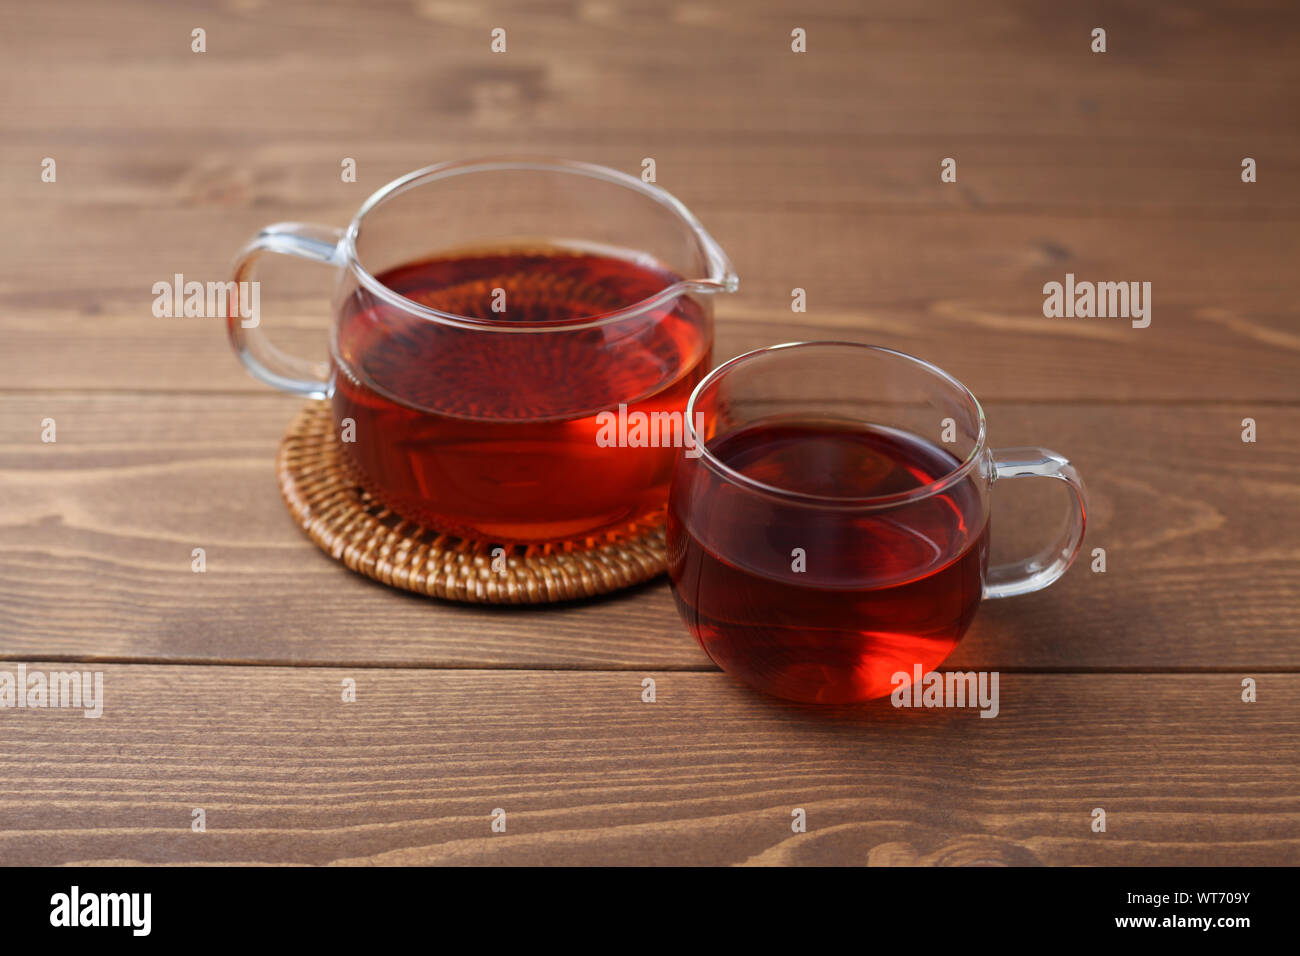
(343, 518)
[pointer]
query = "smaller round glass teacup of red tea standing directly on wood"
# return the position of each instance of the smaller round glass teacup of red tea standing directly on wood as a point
(834, 533)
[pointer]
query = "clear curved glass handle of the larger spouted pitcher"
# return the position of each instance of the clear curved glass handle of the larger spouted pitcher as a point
(267, 362)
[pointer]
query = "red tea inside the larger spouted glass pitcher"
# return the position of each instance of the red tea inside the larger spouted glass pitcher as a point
(492, 432)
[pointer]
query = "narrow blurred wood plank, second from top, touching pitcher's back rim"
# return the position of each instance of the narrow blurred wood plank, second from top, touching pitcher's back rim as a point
(158, 171)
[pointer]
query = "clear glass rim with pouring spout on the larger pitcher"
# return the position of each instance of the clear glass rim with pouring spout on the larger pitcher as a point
(721, 279)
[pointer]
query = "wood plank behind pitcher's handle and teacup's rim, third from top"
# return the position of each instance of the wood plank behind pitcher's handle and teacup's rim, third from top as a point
(1224, 314)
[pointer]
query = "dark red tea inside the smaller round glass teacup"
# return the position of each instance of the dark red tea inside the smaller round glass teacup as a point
(881, 590)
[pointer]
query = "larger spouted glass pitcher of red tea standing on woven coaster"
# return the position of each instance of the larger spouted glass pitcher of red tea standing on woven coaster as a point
(488, 317)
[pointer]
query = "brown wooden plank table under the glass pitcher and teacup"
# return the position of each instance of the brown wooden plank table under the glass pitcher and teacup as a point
(1120, 690)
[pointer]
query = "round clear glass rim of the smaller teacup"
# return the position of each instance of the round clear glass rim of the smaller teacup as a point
(926, 491)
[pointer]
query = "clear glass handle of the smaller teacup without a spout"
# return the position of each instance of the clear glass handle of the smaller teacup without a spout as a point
(1048, 565)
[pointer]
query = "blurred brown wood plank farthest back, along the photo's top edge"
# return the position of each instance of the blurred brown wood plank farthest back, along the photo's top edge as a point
(889, 68)
